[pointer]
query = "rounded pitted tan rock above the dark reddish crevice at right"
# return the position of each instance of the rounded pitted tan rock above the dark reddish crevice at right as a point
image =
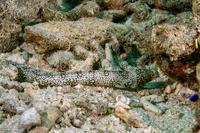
(176, 41)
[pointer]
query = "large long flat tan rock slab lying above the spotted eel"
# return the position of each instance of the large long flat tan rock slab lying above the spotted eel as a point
(88, 32)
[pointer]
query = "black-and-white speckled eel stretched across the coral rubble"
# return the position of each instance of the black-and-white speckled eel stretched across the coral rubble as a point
(118, 79)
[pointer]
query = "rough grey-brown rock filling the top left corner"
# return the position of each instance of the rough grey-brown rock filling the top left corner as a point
(23, 11)
